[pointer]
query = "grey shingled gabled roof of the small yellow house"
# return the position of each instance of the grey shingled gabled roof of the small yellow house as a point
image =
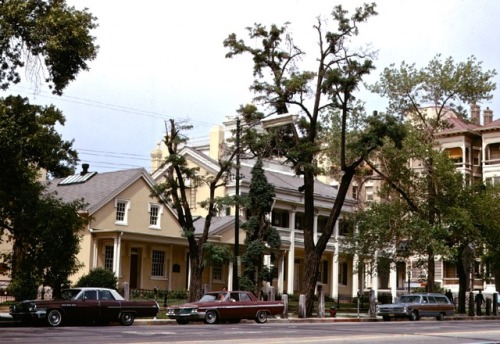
(99, 189)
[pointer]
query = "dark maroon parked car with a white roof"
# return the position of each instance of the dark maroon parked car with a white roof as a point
(90, 305)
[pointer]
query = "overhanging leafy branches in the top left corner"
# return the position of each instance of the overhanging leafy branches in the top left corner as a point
(39, 34)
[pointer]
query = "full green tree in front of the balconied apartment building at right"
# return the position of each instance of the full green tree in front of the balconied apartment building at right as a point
(436, 216)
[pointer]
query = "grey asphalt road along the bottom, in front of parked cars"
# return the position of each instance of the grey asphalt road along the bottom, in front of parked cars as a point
(431, 331)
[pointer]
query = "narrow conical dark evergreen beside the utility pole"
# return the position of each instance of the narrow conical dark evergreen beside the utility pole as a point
(261, 238)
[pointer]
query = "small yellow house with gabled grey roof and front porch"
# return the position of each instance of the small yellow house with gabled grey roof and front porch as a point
(130, 232)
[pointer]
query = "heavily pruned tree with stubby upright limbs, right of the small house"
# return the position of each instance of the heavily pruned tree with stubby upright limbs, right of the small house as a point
(174, 190)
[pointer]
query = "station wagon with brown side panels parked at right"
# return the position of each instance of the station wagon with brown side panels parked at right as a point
(415, 306)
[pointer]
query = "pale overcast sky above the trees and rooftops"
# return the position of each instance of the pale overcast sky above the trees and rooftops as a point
(163, 59)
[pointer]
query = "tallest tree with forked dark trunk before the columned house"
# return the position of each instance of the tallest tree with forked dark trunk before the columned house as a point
(280, 86)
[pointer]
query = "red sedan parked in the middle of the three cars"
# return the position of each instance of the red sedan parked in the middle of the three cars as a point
(231, 306)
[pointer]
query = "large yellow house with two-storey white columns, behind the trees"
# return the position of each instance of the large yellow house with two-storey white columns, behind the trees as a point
(338, 275)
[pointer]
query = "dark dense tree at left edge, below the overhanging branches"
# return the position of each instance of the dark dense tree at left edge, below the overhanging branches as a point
(29, 142)
